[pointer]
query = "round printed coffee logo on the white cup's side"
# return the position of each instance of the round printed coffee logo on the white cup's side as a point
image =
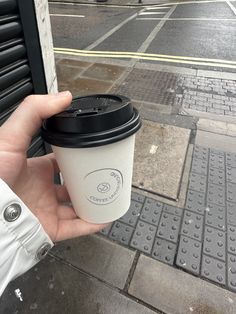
(103, 186)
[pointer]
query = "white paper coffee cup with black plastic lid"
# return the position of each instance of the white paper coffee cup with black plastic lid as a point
(93, 142)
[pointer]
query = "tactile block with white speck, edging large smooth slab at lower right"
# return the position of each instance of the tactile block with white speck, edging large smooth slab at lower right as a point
(189, 255)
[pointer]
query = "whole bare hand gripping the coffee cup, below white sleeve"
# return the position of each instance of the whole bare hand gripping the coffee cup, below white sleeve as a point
(32, 179)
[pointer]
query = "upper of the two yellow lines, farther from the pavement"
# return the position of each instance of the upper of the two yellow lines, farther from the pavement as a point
(143, 54)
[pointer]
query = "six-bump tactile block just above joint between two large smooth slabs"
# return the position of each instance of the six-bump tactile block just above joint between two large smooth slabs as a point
(143, 237)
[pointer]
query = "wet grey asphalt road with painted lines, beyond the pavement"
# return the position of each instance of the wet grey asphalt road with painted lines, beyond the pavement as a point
(197, 34)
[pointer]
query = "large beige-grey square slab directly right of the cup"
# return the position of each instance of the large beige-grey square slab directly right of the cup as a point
(160, 147)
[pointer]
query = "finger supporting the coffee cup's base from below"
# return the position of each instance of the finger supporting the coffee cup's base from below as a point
(73, 228)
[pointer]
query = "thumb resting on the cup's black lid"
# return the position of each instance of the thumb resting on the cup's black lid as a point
(28, 117)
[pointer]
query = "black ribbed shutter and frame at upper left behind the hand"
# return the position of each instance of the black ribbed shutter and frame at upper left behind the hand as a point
(21, 66)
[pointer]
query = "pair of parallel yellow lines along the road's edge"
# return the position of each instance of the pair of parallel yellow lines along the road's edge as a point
(148, 56)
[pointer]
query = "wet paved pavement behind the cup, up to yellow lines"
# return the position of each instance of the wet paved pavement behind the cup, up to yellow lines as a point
(170, 253)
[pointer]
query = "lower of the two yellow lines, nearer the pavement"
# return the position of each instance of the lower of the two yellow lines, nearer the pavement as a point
(146, 58)
